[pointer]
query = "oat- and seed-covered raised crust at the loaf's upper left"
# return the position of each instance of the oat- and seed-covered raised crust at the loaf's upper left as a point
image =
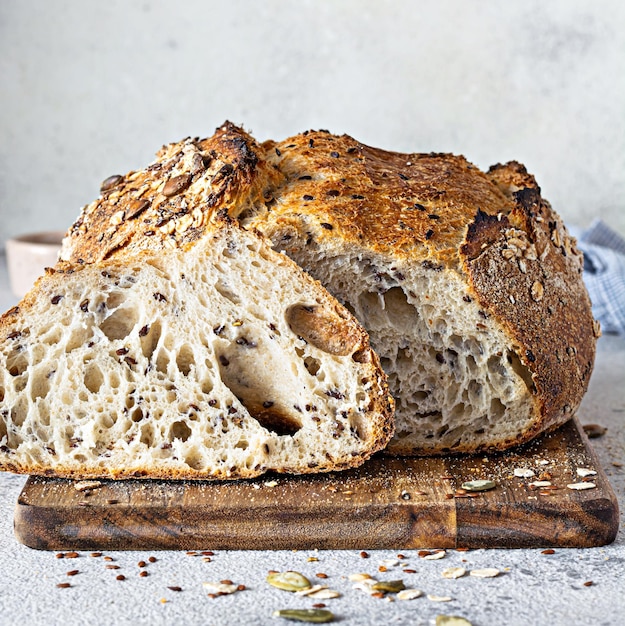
(170, 203)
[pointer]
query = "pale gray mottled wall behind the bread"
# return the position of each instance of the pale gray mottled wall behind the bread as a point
(91, 88)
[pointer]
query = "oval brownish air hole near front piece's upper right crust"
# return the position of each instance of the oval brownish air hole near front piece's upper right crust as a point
(322, 328)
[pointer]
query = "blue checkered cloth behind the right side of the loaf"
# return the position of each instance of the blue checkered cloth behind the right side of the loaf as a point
(604, 274)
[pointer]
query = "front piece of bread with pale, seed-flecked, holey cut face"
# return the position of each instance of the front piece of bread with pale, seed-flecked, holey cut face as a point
(223, 360)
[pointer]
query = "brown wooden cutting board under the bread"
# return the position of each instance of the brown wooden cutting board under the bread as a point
(389, 503)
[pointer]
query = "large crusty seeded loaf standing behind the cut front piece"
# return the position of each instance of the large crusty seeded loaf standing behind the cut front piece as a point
(468, 283)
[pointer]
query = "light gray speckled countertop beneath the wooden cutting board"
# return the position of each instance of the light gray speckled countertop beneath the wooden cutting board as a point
(533, 588)
